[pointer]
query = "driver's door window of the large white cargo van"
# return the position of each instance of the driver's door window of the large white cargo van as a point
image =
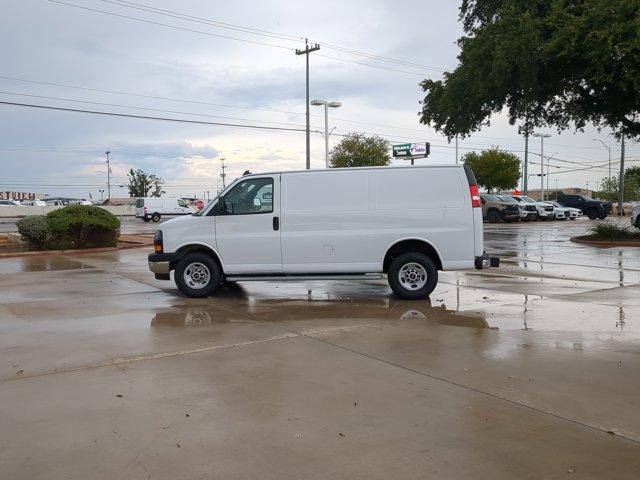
(253, 195)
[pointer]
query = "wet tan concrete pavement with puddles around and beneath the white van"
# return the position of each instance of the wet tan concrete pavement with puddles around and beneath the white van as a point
(527, 371)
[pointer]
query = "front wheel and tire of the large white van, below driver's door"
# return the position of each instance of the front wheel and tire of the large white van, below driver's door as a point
(192, 267)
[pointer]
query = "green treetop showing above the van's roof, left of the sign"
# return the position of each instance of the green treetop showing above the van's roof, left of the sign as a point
(359, 150)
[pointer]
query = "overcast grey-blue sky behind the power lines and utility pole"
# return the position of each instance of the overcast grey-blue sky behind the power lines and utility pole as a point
(201, 75)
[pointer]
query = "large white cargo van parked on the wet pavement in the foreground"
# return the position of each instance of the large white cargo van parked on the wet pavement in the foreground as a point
(348, 223)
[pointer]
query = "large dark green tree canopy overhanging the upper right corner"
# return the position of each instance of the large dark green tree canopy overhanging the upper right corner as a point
(553, 62)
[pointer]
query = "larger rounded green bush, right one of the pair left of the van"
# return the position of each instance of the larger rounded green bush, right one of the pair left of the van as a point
(82, 226)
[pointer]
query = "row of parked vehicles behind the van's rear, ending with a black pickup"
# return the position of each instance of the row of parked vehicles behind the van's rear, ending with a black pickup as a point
(512, 208)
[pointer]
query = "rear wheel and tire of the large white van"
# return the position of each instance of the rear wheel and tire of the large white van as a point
(417, 266)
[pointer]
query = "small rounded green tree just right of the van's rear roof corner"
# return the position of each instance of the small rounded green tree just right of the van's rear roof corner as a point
(494, 168)
